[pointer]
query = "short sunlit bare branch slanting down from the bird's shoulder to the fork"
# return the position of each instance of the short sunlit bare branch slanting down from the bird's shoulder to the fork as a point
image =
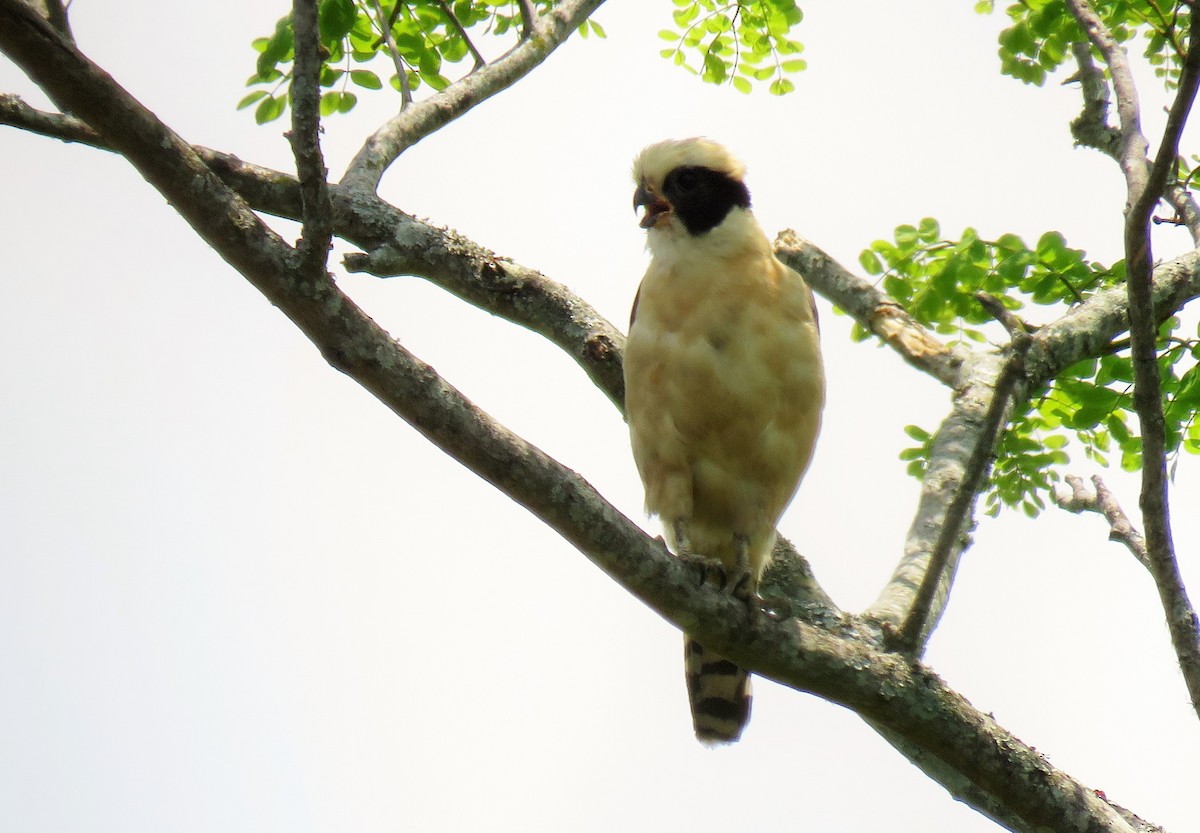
(874, 310)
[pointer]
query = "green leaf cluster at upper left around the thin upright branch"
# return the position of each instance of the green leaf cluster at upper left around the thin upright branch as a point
(418, 38)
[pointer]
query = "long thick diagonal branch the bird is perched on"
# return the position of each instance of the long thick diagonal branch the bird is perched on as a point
(829, 657)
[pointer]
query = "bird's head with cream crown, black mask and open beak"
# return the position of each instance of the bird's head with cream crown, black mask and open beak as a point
(688, 185)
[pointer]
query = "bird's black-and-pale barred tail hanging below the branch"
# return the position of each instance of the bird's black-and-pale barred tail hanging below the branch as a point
(719, 693)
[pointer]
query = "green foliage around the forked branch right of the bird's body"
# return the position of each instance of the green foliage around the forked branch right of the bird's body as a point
(1090, 404)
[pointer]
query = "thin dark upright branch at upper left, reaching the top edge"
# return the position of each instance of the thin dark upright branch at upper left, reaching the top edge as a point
(305, 139)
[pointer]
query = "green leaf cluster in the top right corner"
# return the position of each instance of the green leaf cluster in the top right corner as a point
(1040, 39)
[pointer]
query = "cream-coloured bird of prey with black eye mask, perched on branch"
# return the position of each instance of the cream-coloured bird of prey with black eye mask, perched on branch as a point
(724, 391)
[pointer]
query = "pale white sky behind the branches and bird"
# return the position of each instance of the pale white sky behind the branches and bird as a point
(237, 594)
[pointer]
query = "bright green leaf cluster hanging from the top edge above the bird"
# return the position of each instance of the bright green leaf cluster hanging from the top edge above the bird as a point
(737, 43)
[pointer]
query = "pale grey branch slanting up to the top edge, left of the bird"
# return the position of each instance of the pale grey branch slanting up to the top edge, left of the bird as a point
(424, 118)
